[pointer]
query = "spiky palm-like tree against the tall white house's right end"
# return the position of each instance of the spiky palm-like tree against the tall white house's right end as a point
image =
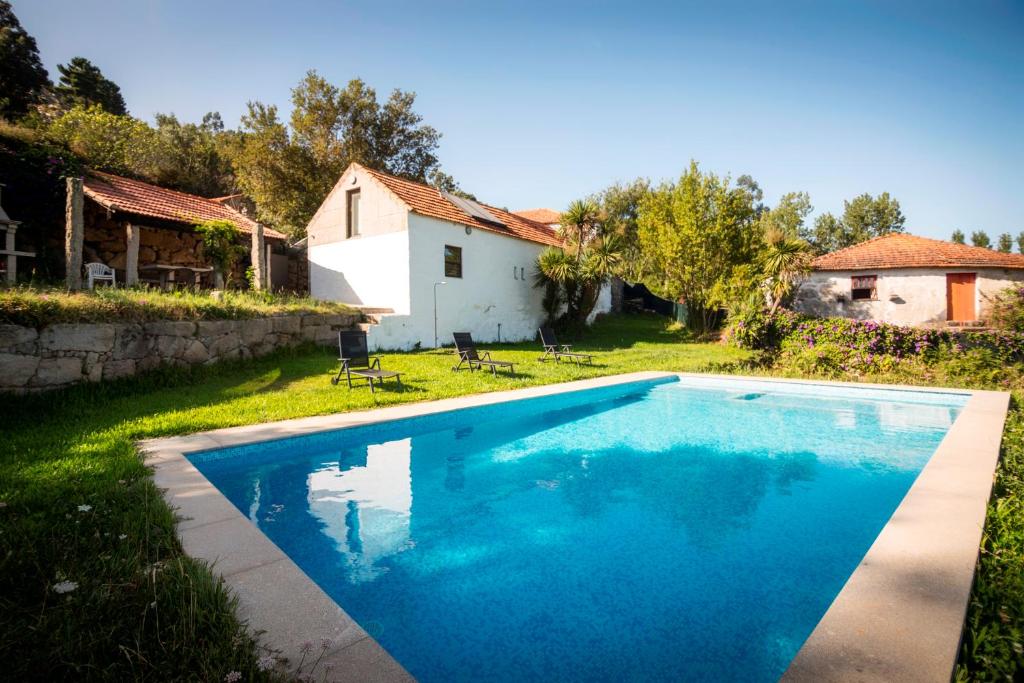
(573, 276)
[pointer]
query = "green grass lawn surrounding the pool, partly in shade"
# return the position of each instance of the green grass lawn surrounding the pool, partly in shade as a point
(143, 611)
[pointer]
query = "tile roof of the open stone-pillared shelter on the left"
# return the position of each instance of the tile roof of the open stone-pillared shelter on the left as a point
(118, 194)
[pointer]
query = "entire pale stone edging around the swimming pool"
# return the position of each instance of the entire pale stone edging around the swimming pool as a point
(900, 617)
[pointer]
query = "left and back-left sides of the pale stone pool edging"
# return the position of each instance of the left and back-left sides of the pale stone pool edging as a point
(275, 597)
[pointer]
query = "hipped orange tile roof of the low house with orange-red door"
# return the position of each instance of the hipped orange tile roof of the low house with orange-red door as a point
(910, 251)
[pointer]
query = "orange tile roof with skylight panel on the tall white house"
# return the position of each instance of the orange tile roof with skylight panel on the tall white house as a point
(429, 201)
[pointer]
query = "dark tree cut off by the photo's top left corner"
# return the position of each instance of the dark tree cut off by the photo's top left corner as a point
(23, 78)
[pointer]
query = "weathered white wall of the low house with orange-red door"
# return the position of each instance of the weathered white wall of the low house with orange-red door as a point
(906, 296)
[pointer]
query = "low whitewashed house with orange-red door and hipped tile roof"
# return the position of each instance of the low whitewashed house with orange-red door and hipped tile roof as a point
(909, 280)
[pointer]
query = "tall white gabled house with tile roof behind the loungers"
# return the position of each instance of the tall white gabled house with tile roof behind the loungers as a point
(421, 255)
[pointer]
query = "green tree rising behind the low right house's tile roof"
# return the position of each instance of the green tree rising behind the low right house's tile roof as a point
(865, 218)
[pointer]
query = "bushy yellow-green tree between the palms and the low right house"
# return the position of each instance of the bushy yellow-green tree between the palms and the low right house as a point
(694, 235)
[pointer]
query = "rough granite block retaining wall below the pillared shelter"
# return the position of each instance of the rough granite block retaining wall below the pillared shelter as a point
(62, 355)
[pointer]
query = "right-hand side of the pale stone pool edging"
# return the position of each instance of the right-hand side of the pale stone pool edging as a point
(901, 615)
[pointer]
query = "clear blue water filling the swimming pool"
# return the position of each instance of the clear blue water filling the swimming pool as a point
(657, 531)
